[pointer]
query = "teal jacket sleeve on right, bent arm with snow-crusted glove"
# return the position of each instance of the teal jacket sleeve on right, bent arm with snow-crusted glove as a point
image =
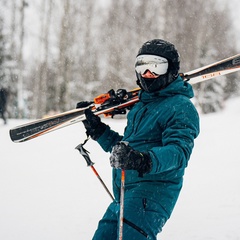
(177, 139)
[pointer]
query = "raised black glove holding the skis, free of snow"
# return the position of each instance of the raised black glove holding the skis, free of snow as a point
(95, 128)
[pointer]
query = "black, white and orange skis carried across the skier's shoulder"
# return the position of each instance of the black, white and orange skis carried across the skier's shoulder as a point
(118, 102)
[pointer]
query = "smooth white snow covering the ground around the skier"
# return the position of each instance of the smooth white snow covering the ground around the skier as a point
(47, 191)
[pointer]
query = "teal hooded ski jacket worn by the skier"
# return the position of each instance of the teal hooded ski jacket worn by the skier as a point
(164, 124)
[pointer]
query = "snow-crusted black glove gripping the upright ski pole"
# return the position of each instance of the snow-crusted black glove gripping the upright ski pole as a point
(125, 157)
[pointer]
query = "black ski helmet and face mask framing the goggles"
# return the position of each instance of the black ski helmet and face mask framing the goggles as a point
(164, 49)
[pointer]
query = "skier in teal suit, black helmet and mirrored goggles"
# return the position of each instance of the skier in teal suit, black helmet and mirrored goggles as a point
(160, 134)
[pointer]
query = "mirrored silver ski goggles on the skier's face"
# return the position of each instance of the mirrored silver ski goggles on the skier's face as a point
(155, 64)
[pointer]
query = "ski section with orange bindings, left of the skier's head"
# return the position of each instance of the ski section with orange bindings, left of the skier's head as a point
(108, 104)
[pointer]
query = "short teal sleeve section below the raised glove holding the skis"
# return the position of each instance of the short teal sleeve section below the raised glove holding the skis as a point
(108, 139)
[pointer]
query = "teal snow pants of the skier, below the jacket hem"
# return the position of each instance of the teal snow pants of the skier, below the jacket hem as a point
(148, 216)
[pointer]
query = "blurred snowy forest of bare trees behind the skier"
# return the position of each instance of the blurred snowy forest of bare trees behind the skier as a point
(54, 53)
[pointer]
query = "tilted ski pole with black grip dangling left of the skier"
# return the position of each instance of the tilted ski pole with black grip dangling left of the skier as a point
(85, 154)
